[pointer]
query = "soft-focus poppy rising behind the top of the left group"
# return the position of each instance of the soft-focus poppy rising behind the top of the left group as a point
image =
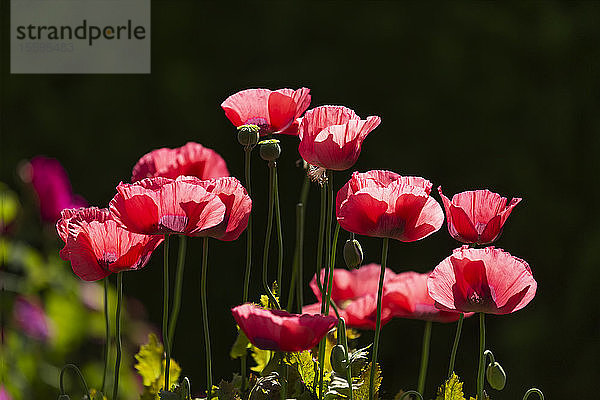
(193, 159)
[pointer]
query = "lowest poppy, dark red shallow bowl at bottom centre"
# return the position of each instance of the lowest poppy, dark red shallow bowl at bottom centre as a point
(280, 330)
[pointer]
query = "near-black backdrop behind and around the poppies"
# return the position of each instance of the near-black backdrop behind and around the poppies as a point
(471, 95)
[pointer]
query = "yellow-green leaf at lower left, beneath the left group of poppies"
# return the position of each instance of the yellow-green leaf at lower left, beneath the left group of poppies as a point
(150, 365)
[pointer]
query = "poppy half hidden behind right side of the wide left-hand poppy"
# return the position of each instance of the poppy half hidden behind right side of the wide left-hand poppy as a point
(237, 207)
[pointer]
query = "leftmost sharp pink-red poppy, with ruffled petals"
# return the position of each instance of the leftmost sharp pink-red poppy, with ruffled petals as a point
(98, 247)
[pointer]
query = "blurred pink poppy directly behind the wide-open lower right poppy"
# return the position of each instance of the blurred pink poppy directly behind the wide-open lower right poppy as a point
(406, 296)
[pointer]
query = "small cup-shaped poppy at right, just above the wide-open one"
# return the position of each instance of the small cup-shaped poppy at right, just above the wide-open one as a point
(477, 216)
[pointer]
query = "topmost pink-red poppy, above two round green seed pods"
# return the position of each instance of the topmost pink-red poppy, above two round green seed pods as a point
(273, 111)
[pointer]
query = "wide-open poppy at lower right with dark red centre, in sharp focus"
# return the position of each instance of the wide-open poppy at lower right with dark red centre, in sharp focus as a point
(482, 280)
